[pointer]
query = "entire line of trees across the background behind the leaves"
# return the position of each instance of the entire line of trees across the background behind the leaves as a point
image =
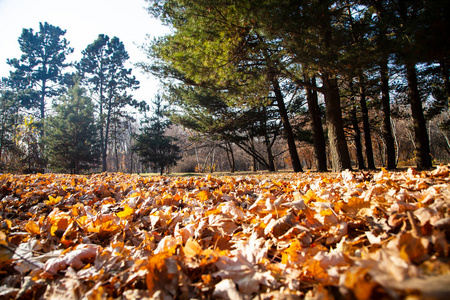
(249, 85)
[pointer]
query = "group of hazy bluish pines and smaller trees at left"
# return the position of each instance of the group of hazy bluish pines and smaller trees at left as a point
(68, 117)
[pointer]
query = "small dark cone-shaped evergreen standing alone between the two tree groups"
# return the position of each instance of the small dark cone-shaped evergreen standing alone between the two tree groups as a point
(156, 149)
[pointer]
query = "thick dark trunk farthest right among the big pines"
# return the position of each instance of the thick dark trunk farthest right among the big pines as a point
(422, 145)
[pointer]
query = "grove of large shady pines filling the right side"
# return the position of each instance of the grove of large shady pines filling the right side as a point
(355, 83)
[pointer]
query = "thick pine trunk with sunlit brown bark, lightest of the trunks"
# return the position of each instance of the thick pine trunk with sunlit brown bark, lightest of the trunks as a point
(340, 158)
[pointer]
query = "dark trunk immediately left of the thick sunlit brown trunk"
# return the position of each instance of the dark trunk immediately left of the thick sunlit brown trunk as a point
(316, 123)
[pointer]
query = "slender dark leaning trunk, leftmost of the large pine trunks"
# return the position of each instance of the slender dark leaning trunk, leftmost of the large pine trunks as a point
(296, 165)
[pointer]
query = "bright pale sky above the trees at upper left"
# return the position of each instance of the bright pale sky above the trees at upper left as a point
(84, 20)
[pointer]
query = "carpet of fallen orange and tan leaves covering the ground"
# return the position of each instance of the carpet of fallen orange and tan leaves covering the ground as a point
(272, 236)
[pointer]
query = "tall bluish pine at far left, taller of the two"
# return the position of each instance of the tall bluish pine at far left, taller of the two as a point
(42, 62)
